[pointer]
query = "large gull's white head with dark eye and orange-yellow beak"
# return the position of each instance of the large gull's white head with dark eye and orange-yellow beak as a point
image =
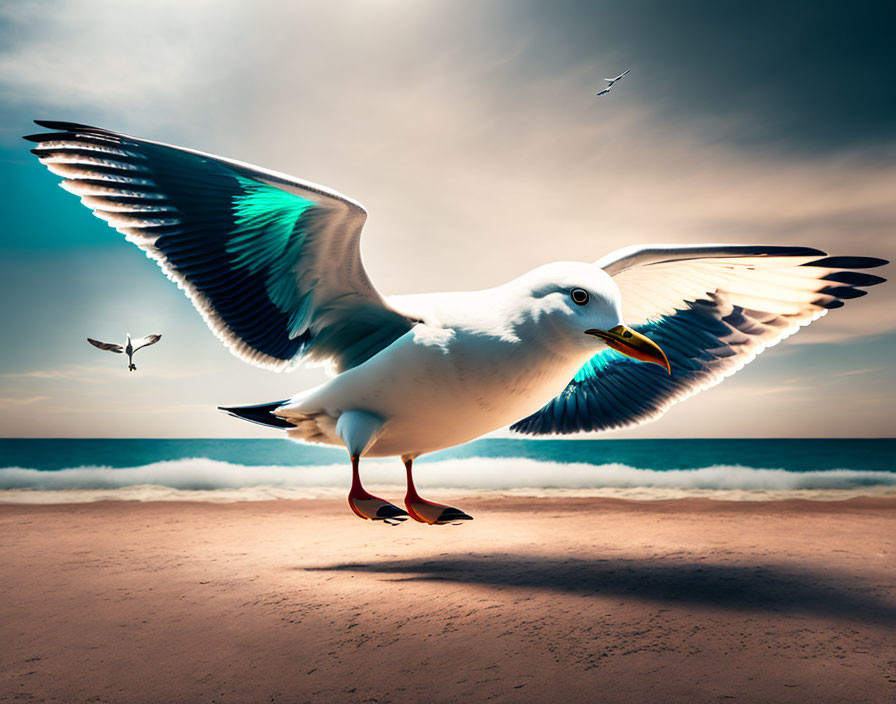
(578, 306)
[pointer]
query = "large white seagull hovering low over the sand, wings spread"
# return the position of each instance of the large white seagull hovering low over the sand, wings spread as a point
(273, 265)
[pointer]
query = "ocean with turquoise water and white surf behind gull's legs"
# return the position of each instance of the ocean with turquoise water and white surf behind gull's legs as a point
(744, 465)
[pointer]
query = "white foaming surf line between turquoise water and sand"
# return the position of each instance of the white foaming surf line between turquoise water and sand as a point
(495, 474)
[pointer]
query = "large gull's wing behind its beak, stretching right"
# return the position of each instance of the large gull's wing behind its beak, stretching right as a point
(712, 309)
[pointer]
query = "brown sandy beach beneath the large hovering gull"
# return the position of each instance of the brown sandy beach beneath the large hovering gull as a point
(537, 600)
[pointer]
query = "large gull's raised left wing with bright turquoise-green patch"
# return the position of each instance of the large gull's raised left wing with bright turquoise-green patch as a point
(271, 262)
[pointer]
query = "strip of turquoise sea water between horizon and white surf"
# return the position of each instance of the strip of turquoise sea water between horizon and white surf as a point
(798, 455)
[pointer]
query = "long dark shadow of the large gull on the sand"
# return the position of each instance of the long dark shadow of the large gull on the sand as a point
(757, 587)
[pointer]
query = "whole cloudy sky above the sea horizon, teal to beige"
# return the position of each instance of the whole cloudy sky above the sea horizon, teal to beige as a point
(471, 133)
